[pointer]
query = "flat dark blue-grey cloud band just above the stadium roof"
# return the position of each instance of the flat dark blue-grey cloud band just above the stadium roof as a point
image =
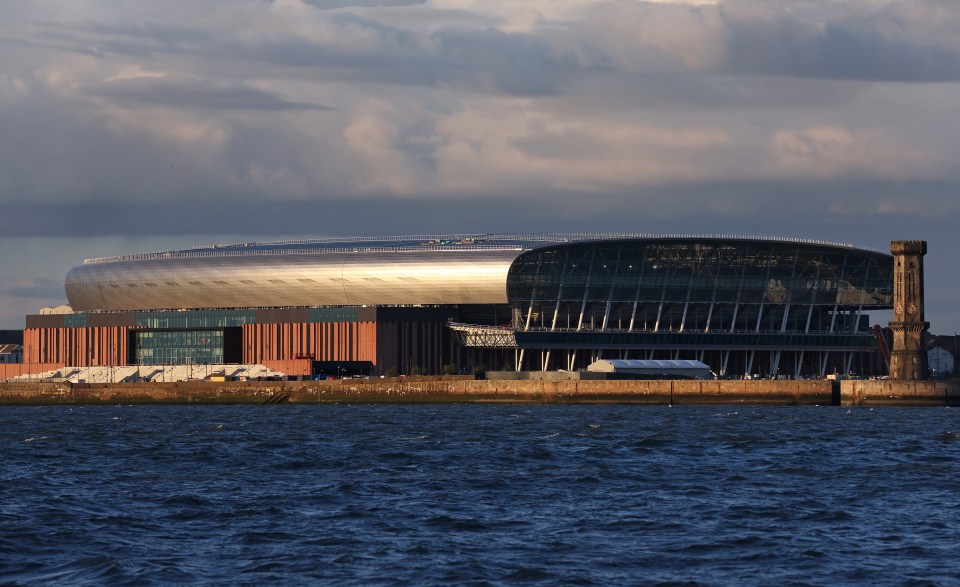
(758, 208)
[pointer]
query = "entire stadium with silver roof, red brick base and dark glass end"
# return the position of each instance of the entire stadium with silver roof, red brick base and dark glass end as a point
(462, 303)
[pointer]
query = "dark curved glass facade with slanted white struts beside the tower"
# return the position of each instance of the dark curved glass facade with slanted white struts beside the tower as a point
(690, 295)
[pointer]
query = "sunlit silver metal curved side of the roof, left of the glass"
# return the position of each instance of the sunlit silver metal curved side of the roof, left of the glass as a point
(278, 280)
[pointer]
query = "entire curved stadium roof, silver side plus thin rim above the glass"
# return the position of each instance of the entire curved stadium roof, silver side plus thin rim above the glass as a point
(405, 270)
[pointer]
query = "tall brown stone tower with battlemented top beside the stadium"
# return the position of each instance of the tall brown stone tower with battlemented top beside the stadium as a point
(908, 360)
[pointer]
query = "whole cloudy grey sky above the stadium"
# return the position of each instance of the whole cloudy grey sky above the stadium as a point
(145, 125)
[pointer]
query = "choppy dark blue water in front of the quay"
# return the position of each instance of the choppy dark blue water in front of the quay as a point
(479, 494)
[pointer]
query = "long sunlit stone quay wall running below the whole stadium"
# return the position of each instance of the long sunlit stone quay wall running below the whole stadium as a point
(423, 390)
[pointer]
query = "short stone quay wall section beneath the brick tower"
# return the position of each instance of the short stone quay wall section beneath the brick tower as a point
(899, 393)
